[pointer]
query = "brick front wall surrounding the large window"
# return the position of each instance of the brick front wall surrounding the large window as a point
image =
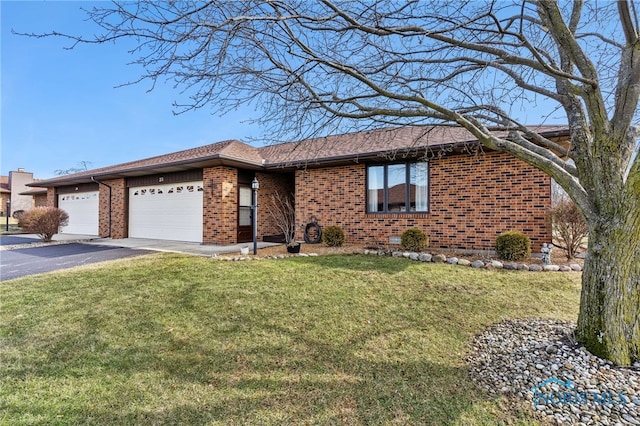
(473, 198)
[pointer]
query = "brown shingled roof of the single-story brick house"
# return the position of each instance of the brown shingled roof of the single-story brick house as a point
(320, 151)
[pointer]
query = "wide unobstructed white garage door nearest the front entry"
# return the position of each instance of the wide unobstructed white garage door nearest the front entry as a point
(166, 212)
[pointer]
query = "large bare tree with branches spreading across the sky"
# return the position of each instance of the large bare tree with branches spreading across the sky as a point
(318, 66)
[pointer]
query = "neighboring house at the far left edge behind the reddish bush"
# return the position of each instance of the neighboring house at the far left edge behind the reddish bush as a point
(14, 188)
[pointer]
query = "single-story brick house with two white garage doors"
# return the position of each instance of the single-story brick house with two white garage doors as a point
(374, 184)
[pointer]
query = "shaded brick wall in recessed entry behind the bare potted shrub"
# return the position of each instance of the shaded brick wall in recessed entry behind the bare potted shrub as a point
(270, 184)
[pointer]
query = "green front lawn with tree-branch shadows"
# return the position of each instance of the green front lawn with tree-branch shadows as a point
(170, 339)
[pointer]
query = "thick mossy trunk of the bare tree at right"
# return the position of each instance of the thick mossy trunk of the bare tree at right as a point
(609, 319)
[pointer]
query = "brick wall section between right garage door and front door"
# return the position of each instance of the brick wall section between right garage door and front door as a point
(220, 205)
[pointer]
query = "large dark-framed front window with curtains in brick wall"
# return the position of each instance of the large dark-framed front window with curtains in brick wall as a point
(398, 188)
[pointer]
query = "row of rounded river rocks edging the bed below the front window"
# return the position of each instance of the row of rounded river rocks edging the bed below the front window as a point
(486, 264)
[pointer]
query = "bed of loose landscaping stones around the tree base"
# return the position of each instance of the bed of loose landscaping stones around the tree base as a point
(537, 362)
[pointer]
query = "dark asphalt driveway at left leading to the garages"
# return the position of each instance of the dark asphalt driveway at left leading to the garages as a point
(35, 260)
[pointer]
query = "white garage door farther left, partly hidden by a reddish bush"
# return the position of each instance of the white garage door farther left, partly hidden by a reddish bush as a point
(82, 208)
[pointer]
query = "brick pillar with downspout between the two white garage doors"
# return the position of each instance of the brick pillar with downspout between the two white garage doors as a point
(119, 209)
